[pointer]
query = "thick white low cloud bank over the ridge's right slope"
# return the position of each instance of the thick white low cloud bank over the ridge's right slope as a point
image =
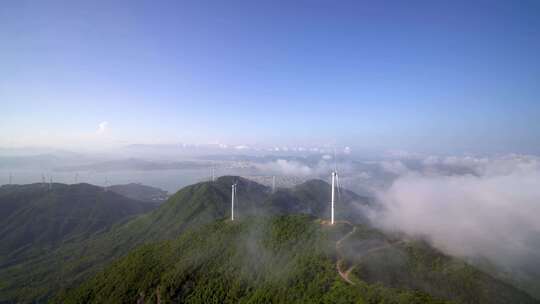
(493, 213)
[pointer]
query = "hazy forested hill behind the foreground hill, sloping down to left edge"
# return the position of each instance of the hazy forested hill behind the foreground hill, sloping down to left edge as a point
(193, 206)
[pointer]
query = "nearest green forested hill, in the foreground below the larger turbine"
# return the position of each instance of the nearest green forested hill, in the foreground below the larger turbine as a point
(284, 259)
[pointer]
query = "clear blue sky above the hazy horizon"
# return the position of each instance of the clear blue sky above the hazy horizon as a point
(430, 76)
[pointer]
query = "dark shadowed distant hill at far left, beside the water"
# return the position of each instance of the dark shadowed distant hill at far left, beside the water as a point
(36, 218)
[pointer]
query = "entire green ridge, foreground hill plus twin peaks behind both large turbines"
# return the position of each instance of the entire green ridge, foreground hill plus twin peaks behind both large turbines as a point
(133, 260)
